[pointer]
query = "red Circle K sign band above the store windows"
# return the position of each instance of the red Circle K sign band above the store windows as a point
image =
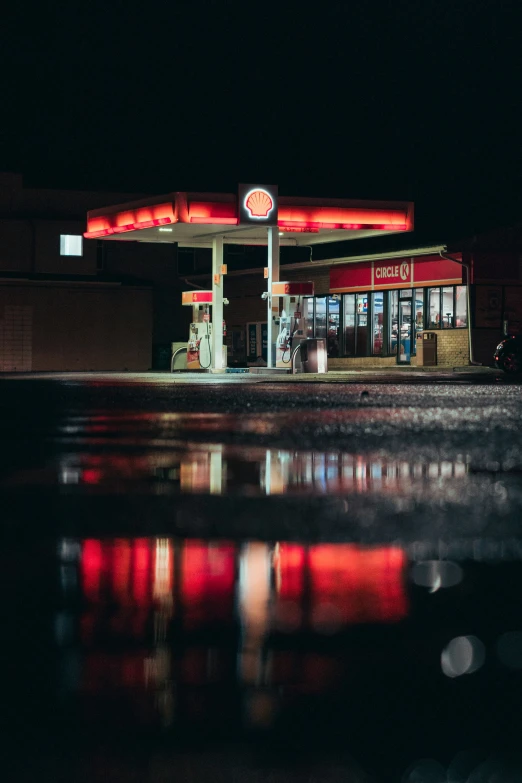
(394, 273)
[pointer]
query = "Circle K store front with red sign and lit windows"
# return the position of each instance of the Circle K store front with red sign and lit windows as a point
(375, 309)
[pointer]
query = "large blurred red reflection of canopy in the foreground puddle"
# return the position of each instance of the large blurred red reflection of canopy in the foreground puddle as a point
(147, 611)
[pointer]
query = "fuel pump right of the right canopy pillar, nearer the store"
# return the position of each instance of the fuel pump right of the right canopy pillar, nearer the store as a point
(293, 318)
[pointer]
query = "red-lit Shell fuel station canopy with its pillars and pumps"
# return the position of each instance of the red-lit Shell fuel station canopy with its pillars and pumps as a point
(256, 215)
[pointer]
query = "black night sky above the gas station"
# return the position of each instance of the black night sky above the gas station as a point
(416, 99)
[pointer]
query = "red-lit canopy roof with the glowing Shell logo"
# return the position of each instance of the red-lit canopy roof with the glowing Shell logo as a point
(196, 219)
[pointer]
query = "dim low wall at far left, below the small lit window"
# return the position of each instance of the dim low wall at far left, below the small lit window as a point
(75, 327)
